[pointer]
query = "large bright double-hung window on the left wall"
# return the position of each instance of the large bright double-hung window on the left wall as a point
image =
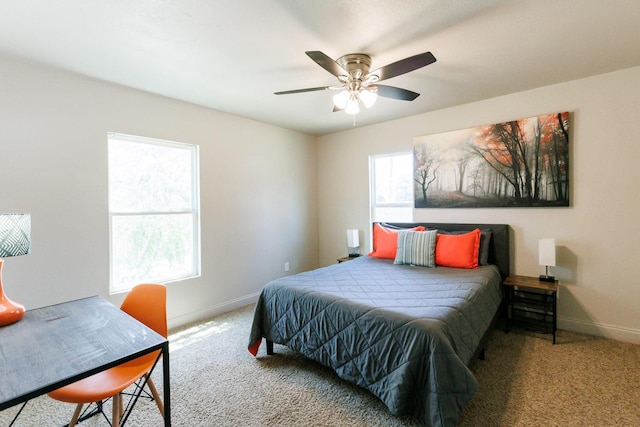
(153, 211)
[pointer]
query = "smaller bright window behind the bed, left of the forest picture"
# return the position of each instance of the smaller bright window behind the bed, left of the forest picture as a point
(391, 178)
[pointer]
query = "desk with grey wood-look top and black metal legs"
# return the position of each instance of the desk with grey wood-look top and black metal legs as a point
(57, 345)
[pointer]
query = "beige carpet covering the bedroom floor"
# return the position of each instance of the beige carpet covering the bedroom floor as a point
(524, 381)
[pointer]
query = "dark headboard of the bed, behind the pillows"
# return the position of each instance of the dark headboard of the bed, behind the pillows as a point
(498, 249)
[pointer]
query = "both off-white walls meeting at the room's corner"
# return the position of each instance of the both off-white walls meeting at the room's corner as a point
(265, 202)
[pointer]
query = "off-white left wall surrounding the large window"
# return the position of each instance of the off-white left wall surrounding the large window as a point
(258, 190)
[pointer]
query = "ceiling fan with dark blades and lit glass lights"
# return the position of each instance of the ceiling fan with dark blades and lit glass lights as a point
(358, 84)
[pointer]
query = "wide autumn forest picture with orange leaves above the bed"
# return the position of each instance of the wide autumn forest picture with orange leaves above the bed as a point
(521, 163)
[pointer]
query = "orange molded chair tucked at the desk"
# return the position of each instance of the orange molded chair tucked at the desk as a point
(147, 303)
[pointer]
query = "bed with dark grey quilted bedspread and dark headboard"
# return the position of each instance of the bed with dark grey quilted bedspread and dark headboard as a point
(406, 333)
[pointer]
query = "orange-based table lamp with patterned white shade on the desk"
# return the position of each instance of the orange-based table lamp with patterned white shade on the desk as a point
(15, 239)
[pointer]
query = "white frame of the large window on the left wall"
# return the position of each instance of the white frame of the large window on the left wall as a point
(193, 210)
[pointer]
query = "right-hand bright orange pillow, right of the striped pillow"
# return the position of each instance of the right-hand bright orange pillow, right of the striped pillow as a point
(458, 250)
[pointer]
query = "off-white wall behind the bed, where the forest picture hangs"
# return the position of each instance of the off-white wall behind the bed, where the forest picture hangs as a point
(597, 235)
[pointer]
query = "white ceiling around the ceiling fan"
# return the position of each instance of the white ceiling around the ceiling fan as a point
(231, 55)
